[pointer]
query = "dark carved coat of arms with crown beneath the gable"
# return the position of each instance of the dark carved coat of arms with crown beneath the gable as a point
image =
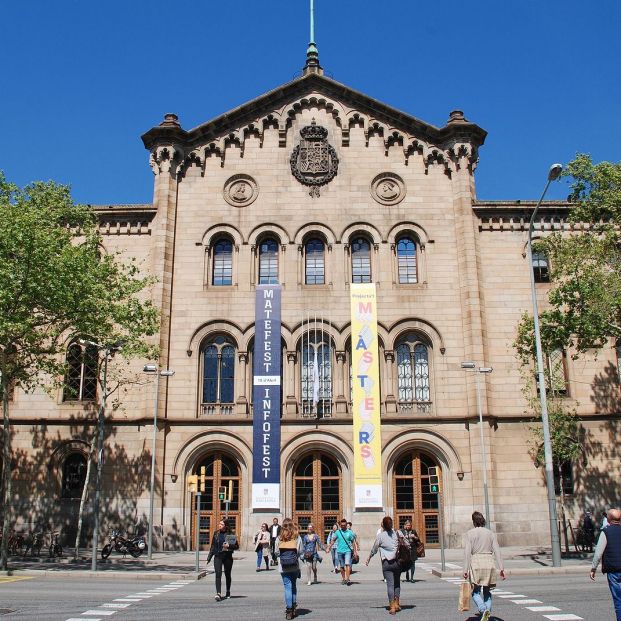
(314, 161)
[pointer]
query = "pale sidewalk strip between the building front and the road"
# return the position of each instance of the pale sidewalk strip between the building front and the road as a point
(181, 565)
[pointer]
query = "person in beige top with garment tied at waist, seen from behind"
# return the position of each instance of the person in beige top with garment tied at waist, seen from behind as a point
(481, 555)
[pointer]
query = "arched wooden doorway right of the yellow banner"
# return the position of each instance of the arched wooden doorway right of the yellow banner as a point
(412, 496)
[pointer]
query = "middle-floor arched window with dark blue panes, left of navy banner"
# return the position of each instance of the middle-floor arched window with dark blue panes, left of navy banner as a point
(218, 376)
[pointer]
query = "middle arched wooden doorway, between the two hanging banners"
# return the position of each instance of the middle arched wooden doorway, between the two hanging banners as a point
(317, 492)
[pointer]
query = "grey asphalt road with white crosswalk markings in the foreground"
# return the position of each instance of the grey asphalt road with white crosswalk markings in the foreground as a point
(259, 596)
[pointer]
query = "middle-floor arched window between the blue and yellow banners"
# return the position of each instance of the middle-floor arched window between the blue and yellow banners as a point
(316, 374)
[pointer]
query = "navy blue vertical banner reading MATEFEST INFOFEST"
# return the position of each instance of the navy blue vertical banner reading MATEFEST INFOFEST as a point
(266, 399)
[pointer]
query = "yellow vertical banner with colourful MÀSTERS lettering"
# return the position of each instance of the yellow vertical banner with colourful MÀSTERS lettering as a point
(366, 397)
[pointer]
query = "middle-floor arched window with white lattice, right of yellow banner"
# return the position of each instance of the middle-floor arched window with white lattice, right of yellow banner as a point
(413, 374)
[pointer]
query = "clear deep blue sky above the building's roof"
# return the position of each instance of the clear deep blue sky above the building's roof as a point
(82, 80)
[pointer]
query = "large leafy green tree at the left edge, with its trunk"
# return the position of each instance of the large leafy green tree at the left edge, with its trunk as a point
(56, 282)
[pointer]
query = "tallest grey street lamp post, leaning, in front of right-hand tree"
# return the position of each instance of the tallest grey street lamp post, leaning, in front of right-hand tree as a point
(554, 173)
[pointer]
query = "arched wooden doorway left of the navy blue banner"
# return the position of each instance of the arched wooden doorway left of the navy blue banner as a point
(220, 468)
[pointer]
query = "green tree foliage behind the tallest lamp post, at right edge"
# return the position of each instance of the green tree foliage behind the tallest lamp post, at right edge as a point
(584, 301)
